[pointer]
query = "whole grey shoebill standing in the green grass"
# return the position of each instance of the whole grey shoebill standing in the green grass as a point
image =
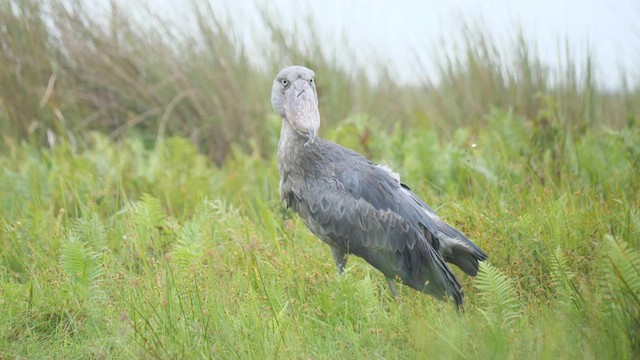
(359, 207)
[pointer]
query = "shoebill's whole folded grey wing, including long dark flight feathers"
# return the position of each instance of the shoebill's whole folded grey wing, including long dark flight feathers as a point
(366, 204)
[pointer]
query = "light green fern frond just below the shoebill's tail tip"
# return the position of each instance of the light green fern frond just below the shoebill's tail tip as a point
(498, 294)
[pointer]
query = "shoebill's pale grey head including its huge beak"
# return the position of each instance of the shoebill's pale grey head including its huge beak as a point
(294, 97)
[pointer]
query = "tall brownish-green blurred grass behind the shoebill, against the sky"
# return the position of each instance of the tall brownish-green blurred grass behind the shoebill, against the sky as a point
(68, 72)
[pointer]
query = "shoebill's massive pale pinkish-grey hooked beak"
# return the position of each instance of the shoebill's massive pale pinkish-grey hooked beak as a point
(301, 109)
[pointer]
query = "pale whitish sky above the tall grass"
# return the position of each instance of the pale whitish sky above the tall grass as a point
(410, 33)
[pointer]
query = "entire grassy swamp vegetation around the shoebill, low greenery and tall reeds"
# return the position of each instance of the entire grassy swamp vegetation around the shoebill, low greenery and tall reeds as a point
(140, 214)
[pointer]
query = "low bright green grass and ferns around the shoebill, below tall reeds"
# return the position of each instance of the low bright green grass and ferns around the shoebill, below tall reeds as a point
(123, 250)
